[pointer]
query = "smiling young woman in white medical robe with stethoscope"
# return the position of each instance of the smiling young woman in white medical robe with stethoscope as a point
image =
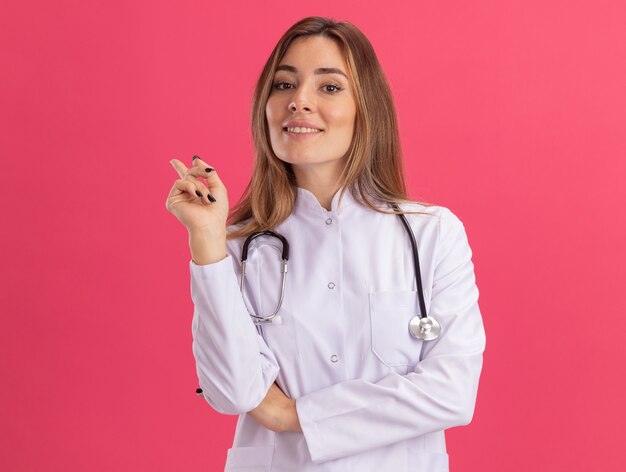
(335, 371)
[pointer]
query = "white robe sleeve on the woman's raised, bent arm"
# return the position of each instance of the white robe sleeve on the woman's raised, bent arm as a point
(235, 367)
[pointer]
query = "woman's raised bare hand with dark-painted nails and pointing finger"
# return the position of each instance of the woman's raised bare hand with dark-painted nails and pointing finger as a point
(197, 207)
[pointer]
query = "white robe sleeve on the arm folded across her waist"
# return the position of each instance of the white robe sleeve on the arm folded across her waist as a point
(354, 416)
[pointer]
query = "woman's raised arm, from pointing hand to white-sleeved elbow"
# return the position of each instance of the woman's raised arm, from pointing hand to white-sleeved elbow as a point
(235, 367)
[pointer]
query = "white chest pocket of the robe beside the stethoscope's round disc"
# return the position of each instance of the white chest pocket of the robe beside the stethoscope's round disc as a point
(390, 314)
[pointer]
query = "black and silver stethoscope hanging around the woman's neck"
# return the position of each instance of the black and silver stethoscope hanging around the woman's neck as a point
(421, 326)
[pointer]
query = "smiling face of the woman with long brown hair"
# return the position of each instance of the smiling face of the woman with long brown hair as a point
(311, 109)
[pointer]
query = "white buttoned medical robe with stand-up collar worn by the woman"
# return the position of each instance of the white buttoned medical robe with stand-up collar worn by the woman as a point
(370, 397)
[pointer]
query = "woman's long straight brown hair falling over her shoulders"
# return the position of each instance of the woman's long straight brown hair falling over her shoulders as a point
(373, 170)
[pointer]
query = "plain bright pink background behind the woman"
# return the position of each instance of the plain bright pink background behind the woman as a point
(512, 114)
